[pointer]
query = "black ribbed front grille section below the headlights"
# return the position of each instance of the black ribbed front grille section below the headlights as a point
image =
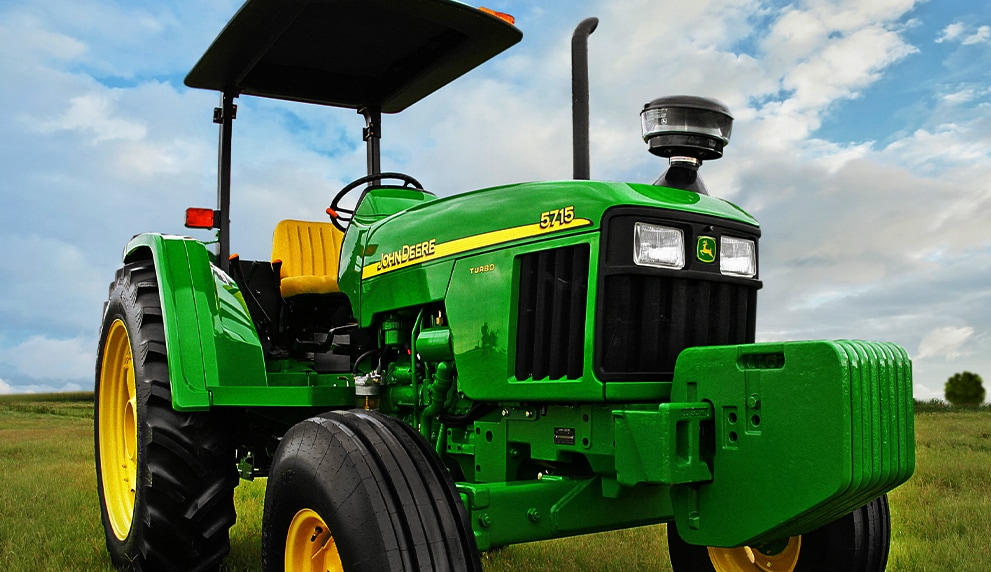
(646, 320)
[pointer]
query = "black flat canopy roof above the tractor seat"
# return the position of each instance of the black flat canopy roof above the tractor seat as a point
(387, 54)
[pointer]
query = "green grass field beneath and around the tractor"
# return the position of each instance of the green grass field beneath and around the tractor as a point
(49, 512)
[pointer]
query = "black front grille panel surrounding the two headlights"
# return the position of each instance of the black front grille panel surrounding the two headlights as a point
(646, 316)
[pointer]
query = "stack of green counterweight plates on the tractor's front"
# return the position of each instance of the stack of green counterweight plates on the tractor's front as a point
(804, 432)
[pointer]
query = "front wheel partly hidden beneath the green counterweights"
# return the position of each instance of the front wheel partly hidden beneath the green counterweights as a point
(857, 542)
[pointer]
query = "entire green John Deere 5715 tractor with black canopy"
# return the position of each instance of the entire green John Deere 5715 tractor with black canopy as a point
(423, 378)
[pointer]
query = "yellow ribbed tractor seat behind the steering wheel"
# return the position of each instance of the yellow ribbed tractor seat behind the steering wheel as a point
(310, 253)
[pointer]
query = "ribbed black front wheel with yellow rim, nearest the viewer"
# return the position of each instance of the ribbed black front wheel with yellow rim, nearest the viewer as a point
(359, 491)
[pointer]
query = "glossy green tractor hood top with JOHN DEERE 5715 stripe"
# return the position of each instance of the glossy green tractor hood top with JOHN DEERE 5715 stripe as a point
(421, 239)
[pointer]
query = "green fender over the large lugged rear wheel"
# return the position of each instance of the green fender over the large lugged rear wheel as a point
(209, 336)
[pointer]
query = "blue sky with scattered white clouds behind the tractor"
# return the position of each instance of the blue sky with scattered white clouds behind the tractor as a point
(861, 142)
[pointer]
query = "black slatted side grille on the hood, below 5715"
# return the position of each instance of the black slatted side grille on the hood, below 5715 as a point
(550, 334)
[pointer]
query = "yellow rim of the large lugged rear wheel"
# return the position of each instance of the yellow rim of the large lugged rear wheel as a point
(118, 429)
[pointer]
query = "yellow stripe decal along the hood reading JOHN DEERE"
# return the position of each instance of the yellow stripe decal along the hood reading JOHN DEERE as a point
(411, 255)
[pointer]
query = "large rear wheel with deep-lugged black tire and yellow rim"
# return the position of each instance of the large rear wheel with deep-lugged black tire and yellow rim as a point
(166, 479)
